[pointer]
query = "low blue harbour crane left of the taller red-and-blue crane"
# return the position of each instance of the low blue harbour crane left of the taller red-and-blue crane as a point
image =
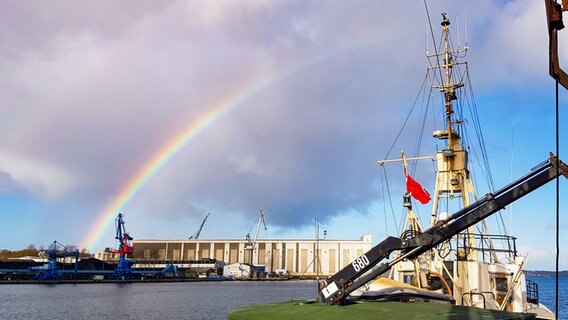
(56, 251)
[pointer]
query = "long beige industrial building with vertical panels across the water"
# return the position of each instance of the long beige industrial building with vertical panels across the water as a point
(297, 257)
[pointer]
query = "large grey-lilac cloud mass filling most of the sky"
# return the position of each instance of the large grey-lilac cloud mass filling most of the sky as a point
(93, 92)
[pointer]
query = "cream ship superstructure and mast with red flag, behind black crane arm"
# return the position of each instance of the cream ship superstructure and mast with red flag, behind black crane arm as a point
(475, 267)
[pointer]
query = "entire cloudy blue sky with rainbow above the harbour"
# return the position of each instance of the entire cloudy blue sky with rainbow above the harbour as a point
(168, 110)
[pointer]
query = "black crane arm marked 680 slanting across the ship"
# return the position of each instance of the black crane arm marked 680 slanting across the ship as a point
(368, 266)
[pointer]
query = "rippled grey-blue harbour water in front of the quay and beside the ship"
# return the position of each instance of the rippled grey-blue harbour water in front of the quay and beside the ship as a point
(187, 300)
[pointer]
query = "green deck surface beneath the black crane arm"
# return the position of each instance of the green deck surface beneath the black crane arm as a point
(299, 310)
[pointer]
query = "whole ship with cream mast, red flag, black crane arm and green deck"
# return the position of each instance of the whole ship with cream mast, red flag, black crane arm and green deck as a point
(452, 269)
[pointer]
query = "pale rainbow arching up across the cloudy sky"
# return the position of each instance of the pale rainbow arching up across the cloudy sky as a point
(179, 142)
